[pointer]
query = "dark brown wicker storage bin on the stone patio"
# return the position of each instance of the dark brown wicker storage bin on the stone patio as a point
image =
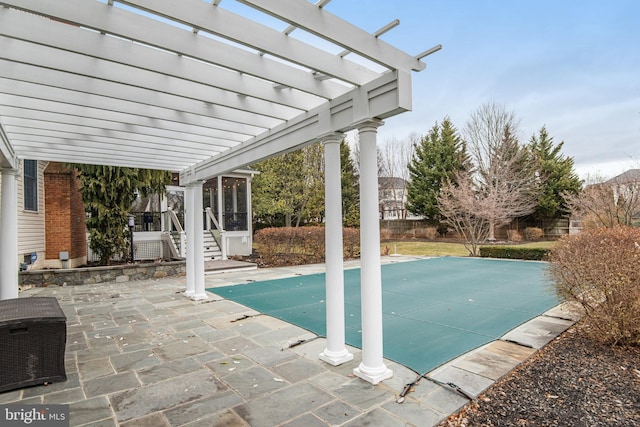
(33, 335)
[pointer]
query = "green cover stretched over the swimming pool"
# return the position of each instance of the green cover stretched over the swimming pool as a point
(433, 309)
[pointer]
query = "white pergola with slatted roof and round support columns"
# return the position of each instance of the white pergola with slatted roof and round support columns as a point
(192, 87)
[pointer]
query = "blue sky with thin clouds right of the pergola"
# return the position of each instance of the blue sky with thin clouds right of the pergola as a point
(570, 65)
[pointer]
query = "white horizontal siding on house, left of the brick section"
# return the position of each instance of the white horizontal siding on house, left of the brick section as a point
(31, 225)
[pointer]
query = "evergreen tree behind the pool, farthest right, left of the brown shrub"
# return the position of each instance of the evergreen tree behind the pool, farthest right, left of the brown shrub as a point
(556, 176)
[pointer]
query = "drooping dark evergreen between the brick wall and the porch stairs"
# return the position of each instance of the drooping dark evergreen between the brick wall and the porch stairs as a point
(107, 193)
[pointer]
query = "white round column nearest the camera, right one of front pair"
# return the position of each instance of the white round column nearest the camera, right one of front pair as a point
(372, 367)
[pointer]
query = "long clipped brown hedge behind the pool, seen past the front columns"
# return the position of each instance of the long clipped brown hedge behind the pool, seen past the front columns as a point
(301, 245)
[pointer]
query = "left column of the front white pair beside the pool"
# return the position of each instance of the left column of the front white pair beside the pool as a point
(336, 352)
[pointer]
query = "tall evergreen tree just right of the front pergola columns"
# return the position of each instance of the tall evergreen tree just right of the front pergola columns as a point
(438, 156)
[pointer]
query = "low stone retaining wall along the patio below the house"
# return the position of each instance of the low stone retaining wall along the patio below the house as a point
(93, 275)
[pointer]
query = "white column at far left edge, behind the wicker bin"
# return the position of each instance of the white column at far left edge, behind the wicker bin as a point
(9, 233)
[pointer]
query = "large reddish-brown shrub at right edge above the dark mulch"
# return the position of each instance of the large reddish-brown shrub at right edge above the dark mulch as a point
(598, 269)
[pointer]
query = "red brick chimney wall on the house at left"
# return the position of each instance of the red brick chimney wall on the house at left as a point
(65, 217)
